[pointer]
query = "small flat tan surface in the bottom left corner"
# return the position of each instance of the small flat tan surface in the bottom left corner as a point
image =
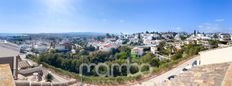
(6, 78)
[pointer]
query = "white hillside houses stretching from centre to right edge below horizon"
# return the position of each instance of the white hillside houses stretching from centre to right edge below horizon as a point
(152, 39)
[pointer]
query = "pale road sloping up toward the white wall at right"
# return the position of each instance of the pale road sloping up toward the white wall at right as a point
(158, 81)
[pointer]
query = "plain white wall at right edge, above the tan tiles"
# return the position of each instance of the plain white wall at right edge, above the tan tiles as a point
(216, 56)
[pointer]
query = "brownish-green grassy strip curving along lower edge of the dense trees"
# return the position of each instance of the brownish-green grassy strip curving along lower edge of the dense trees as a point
(115, 80)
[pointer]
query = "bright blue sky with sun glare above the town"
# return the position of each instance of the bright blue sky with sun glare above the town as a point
(114, 16)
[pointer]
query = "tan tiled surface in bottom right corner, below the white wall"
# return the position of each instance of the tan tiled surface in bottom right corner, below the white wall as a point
(206, 75)
